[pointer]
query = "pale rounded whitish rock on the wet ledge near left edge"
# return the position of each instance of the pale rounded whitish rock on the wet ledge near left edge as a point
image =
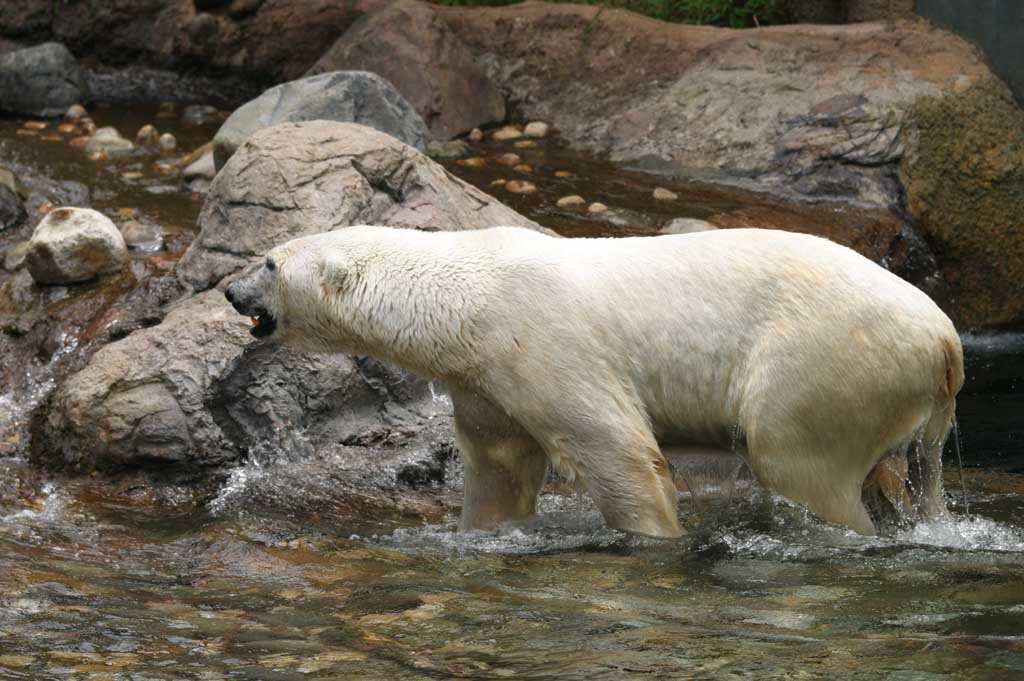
(73, 245)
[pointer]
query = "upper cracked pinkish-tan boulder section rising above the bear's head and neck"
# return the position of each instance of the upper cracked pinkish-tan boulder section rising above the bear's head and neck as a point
(296, 180)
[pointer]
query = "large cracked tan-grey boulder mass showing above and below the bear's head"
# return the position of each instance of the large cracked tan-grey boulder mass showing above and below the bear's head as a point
(196, 391)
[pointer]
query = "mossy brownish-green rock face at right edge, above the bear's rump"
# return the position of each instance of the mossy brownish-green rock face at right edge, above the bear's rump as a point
(964, 175)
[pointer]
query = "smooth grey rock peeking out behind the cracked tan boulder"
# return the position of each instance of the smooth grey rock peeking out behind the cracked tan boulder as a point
(349, 97)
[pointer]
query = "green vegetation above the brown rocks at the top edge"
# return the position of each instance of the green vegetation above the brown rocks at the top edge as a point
(734, 14)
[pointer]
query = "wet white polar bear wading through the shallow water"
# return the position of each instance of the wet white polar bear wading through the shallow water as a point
(602, 356)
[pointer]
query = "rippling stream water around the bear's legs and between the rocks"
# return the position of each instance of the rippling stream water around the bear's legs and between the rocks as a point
(278, 573)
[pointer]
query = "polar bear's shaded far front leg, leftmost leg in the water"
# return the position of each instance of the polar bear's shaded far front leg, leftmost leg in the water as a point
(504, 467)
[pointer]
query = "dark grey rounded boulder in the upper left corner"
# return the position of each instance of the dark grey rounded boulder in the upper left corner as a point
(44, 80)
